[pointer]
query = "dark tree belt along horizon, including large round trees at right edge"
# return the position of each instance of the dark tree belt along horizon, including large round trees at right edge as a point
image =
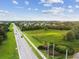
(72, 27)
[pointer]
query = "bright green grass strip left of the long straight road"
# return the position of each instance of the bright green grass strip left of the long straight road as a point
(8, 48)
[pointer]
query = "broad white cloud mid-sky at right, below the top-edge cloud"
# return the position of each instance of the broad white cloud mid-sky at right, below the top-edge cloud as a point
(57, 11)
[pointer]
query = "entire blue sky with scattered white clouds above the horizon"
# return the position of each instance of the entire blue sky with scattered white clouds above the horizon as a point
(39, 10)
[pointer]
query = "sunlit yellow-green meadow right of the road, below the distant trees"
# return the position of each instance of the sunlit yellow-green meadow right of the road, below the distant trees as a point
(38, 37)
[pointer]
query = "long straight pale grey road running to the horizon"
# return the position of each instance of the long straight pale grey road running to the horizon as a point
(24, 50)
